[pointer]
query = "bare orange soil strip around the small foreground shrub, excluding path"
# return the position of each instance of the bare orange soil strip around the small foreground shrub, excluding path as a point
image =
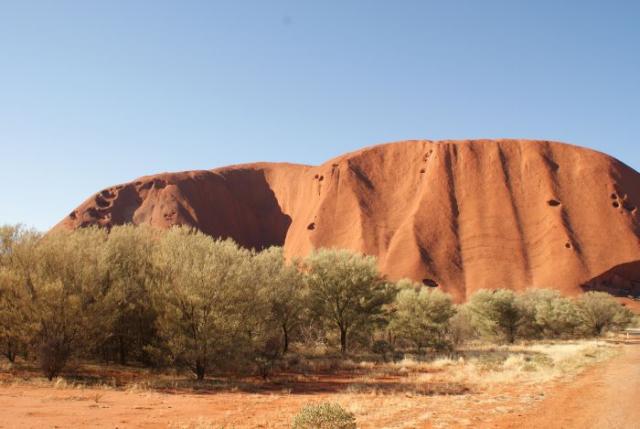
(25, 406)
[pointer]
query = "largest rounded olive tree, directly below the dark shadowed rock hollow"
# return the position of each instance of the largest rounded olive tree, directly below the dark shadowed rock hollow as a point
(206, 300)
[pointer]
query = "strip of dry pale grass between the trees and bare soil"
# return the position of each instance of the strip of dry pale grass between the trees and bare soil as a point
(469, 369)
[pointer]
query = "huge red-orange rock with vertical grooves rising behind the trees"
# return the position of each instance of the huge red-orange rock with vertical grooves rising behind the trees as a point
(462, 215)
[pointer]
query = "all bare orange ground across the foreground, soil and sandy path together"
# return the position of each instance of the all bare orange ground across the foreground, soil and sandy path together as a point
(602, 397)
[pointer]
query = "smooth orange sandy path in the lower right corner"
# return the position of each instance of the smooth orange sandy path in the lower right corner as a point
(604, 397)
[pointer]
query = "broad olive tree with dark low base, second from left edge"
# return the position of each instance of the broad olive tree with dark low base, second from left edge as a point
(67, 296)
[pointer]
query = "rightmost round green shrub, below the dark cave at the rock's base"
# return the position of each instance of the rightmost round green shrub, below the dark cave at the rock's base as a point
(599, 312)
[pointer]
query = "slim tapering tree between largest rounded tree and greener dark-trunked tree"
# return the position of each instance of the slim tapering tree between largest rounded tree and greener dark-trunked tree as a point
(285, 291)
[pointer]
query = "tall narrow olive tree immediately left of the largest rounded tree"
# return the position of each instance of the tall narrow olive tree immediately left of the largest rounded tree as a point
(129, 275)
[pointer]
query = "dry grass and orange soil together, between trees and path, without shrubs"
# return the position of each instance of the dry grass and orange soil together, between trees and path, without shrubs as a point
(468, 388)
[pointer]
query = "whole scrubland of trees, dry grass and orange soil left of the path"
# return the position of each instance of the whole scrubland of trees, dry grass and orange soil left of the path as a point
(136, 327)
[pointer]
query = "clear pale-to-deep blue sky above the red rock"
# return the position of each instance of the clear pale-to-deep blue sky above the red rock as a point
(95, 93)
